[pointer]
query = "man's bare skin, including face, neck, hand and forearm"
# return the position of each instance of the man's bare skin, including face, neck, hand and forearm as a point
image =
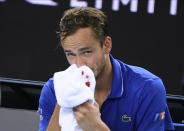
(82, 48)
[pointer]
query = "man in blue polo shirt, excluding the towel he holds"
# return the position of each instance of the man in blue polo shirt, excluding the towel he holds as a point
(128, 98)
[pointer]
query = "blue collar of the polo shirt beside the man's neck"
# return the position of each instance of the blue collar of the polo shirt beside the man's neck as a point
(117, 80)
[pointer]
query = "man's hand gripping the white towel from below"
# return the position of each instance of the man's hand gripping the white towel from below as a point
(88, 117)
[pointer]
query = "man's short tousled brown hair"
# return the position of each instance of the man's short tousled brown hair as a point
(76, 18)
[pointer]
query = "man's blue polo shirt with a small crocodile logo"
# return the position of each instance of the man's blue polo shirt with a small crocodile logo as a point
(137, 101)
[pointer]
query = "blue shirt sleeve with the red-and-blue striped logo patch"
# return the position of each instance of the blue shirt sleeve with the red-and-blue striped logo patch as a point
(152, 114)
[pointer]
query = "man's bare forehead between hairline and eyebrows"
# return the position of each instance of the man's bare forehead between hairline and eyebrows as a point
(81, 38)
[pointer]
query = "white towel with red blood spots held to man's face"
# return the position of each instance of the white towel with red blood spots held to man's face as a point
(73, 87)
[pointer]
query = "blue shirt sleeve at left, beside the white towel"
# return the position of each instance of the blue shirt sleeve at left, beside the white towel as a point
(47, 104)
